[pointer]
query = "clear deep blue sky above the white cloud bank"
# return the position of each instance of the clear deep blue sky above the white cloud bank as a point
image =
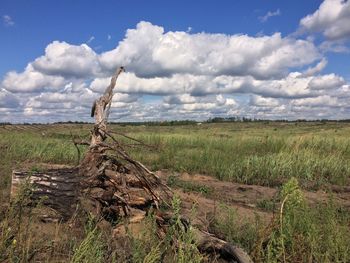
(37, 23)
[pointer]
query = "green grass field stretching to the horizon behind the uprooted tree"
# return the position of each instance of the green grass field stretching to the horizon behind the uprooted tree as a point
(254, 153)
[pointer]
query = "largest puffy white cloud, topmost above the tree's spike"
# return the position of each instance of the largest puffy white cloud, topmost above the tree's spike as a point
(150, 52)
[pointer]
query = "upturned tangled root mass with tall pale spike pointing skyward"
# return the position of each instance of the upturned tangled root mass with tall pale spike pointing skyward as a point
(114, 188)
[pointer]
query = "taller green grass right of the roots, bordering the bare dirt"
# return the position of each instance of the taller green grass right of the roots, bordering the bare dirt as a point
(266, 161)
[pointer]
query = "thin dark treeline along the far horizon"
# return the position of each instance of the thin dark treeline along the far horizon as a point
(190, 122)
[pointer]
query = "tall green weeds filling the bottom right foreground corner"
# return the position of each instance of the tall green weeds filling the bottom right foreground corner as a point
(302, 234)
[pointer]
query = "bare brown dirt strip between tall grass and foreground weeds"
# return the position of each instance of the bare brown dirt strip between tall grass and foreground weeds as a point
(248, 200)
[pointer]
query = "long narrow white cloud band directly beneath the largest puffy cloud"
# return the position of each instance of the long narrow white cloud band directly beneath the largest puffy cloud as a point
(183, 87)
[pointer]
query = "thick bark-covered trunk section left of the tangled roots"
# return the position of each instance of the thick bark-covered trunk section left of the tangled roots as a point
(54, 188)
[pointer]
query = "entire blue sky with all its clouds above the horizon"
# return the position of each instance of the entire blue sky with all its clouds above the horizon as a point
(184, 59)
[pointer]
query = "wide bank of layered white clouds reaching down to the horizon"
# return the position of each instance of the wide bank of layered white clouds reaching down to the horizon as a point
(178, 75)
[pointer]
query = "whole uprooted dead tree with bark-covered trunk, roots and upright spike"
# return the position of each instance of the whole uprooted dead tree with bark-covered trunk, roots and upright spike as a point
(111, 185)
